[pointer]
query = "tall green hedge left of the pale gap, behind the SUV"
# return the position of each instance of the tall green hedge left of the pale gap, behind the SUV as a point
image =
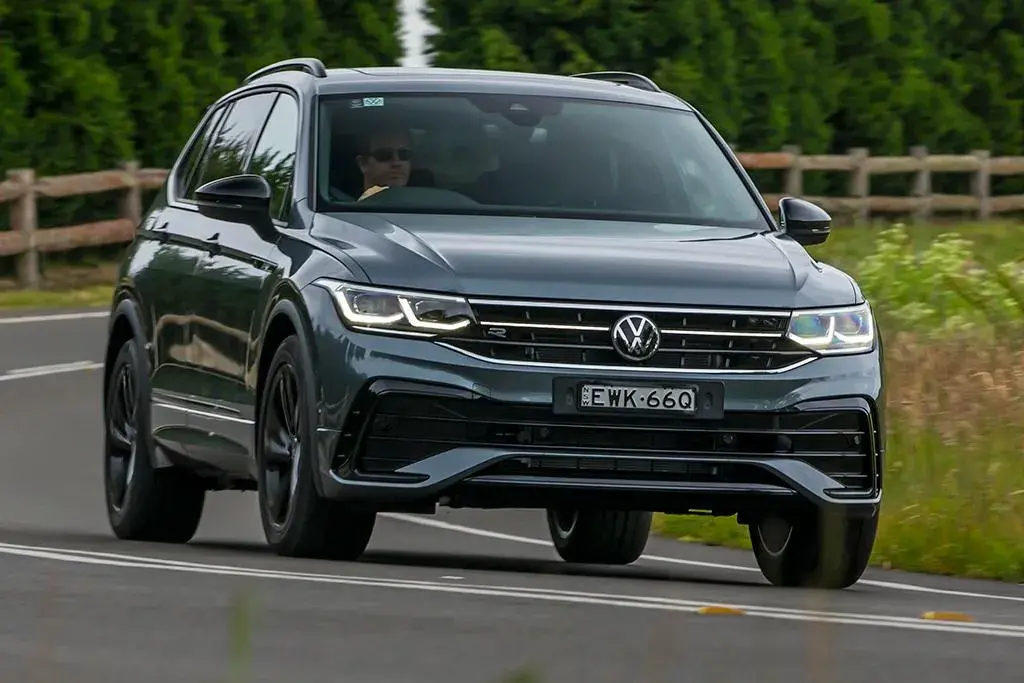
(90, 83)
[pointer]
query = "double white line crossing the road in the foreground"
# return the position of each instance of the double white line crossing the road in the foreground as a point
(551, 595)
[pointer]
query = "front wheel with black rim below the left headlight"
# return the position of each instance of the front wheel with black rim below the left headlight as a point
(297, 521)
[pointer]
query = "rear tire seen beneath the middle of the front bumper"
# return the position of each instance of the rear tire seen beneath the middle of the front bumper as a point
(600, 537)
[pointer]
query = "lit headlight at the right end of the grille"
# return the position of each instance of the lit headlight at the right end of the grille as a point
(834, 331)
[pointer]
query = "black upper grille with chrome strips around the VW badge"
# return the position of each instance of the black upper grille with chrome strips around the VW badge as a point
(693, 340)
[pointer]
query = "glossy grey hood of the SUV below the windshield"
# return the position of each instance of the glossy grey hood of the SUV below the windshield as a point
(595, 261)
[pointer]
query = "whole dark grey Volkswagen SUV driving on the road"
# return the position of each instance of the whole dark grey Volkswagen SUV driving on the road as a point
(367, 290)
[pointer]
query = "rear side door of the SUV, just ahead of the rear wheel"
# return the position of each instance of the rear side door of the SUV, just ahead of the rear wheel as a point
(165, 262)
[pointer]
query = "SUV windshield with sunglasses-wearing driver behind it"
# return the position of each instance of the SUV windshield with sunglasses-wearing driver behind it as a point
(527, 156)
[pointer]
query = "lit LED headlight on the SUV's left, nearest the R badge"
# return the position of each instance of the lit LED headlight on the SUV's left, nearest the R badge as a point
(412, 314)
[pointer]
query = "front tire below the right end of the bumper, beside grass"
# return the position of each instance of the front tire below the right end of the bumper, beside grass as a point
(830, 552)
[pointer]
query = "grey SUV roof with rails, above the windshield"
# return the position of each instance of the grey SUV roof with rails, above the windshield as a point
(437, 79)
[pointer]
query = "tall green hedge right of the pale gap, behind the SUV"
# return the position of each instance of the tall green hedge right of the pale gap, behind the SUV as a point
(827, 75)
